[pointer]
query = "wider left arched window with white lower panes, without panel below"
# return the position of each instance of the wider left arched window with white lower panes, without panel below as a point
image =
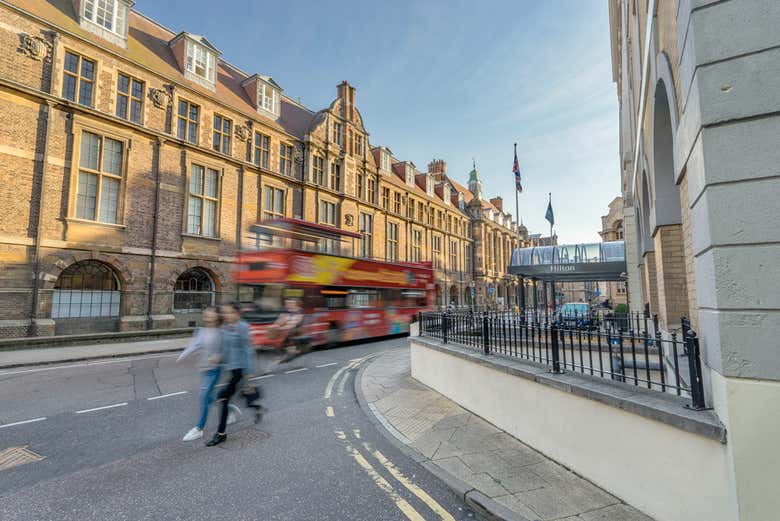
(86, 289)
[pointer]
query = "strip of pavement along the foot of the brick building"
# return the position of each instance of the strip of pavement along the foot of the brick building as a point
(61, 354)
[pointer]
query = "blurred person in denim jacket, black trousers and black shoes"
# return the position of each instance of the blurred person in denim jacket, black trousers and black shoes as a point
(238, 358)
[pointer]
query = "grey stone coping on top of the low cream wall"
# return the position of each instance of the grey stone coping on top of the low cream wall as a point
(665, 408)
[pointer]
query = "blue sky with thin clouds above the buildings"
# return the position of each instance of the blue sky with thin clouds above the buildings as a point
(451, 79)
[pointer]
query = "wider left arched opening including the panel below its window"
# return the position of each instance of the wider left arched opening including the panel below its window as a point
(86, 298)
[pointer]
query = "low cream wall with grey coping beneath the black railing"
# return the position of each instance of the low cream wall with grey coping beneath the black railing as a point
(644, 447)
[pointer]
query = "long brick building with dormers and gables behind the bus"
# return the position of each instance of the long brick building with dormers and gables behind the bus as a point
(135, 158)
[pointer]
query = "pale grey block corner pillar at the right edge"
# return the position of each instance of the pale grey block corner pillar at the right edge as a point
(727, 155)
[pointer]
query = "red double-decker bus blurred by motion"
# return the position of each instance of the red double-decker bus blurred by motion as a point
(343, 297)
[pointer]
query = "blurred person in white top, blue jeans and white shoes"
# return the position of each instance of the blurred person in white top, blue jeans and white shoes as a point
(207, 340)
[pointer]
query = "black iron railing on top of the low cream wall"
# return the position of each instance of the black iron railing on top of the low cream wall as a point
(646, 357)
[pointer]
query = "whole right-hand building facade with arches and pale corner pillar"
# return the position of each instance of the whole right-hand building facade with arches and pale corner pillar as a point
(699, 104)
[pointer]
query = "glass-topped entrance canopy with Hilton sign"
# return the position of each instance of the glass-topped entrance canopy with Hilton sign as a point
(571, 262)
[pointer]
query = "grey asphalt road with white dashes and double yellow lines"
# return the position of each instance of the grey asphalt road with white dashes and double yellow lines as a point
(315, 456)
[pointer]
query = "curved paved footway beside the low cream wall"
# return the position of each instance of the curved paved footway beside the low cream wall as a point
(494, 472)
